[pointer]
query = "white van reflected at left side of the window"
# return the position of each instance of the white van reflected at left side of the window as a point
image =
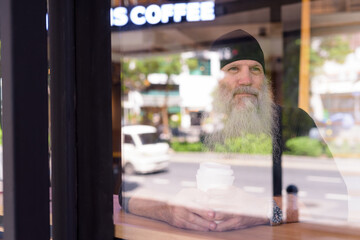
(142, 151)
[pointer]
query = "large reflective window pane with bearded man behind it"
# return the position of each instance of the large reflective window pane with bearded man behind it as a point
(247, 123)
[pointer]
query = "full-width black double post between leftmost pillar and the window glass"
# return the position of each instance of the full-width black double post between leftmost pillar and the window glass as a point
(81, 119)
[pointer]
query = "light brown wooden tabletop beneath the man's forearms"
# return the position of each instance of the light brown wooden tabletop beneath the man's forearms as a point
(128, 226)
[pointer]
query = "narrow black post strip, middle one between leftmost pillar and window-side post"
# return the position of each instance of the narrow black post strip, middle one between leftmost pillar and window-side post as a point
(63, 120)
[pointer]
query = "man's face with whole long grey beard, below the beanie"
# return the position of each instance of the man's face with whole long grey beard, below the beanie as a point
(244, 101)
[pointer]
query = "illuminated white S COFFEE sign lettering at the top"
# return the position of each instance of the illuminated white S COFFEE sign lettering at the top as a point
(157, 14)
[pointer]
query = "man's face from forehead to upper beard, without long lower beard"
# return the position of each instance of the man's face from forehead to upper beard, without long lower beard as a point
(242, 83)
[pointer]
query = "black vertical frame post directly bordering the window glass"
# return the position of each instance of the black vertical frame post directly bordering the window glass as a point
(94, 130)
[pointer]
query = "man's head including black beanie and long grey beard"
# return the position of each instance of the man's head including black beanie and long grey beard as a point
(243, 94)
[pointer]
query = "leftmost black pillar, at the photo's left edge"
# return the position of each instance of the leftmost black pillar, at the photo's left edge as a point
(25, 108)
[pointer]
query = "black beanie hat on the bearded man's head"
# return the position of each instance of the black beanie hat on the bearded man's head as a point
(238, 45)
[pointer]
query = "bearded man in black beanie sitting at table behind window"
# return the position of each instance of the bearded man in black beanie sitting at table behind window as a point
(245, 100)
